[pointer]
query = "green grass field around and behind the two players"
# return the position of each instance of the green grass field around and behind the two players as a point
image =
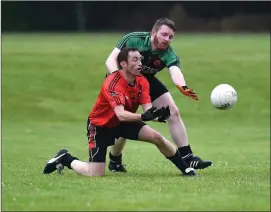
(50, 83)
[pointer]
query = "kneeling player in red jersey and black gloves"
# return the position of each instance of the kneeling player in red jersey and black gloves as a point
(114, 115)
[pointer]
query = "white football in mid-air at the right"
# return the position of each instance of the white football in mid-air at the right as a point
(223, 97)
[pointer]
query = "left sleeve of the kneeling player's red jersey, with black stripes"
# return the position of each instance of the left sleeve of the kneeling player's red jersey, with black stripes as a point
(114, 96)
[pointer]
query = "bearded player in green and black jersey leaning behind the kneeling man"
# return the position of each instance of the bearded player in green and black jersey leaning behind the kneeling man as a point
(158, 54)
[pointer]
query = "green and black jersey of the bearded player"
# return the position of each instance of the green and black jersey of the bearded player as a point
(141, 41)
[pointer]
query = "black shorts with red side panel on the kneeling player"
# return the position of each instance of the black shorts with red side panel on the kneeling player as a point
(99, 138)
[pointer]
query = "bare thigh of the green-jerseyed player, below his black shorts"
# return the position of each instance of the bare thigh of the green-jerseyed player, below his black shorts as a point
(166, 100)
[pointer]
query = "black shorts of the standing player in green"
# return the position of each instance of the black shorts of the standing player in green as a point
(157, 88)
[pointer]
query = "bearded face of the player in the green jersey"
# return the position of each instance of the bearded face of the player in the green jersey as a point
(163, 37)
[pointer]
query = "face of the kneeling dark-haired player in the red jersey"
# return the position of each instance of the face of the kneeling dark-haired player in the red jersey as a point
(134, 64)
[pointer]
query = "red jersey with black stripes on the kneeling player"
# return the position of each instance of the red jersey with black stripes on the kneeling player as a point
(116, 91)
